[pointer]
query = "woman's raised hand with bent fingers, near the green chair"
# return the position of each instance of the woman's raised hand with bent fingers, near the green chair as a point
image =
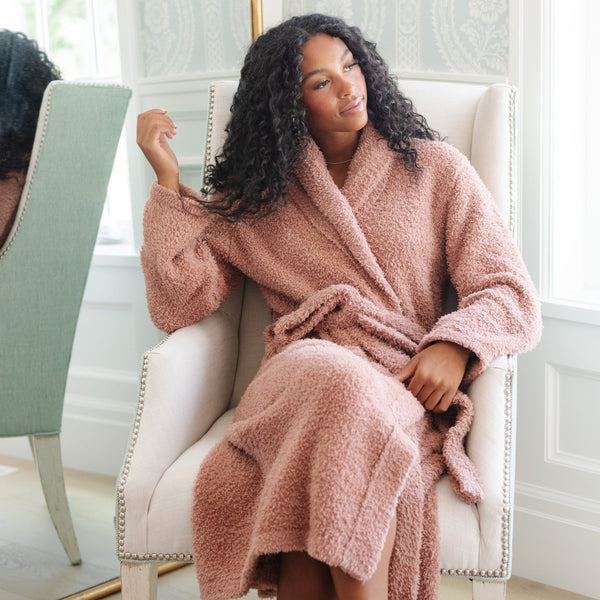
(153, 129)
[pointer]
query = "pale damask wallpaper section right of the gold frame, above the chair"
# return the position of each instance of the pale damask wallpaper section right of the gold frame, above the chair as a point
(461, 37)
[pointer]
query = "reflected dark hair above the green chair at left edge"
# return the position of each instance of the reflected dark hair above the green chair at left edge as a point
(25, 72)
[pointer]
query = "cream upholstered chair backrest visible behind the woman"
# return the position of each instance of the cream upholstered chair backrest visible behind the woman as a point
(479, 120)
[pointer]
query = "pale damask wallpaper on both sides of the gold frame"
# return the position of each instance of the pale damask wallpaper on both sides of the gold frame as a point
(457, 37)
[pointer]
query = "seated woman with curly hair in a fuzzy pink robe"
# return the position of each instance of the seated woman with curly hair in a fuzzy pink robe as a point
(336, 197)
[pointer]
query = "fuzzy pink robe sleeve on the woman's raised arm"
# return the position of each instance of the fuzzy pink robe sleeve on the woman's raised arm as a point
(186, 277)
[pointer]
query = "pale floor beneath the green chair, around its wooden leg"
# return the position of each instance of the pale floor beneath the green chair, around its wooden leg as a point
(33, 563)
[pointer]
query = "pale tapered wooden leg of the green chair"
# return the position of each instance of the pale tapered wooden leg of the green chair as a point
(47, 455)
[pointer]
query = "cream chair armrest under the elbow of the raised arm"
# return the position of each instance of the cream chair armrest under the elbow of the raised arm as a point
(186, 386)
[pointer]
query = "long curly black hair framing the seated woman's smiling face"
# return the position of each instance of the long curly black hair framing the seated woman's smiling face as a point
(267, 133)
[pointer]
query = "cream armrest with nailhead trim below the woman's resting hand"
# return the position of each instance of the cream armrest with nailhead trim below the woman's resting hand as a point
(489, 445)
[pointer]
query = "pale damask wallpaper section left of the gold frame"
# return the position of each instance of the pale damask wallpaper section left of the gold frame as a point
(181, 37)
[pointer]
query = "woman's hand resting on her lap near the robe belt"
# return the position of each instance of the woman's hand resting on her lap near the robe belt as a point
(434, 374)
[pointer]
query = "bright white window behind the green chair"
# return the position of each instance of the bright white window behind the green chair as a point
(81, 38)
